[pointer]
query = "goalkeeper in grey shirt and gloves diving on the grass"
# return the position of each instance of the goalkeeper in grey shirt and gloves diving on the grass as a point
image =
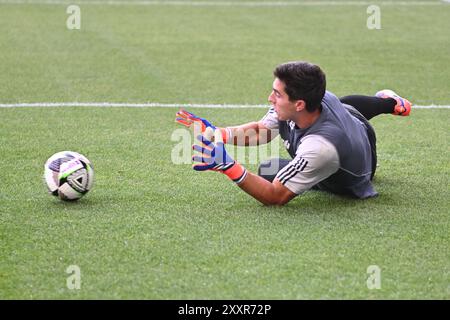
(330, 140)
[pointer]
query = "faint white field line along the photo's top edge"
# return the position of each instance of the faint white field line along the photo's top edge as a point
(226, 3)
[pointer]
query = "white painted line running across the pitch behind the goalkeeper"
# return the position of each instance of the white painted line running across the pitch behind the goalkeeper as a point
(158, 105)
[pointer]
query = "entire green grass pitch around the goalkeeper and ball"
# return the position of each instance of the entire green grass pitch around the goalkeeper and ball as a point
(150, 229)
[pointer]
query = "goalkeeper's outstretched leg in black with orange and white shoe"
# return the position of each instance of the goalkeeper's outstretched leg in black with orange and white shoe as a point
(385, 101)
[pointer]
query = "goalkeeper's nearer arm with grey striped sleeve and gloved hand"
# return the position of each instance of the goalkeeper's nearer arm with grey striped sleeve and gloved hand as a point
(316, 160)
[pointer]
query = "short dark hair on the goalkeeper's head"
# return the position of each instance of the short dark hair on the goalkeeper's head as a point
(303, 81)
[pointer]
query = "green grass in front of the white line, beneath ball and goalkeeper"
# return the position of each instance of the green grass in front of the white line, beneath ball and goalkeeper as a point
(151, 229)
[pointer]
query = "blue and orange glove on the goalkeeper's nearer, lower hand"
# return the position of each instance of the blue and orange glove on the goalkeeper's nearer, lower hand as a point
(213, 156)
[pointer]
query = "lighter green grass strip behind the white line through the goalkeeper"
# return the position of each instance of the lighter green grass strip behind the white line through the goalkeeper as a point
(129, 56)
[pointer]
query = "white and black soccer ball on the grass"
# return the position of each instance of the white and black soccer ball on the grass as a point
(68, 175)
